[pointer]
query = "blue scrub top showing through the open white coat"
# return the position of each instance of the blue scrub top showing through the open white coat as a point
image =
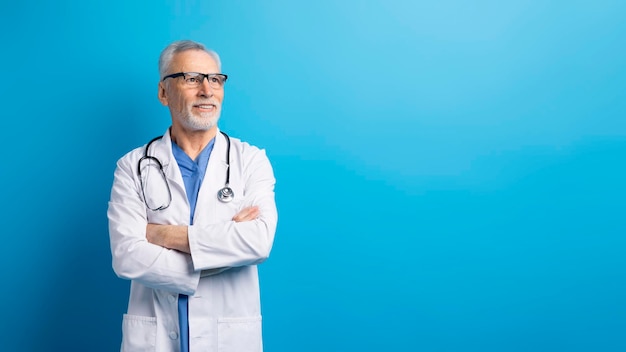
(193, 174)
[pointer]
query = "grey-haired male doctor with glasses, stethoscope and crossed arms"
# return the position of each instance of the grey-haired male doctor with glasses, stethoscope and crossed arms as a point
(191, 215)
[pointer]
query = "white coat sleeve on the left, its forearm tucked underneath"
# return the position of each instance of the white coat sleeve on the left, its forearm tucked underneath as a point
(134, 258)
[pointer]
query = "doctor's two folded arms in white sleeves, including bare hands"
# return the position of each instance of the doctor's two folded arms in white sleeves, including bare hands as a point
(174, 257)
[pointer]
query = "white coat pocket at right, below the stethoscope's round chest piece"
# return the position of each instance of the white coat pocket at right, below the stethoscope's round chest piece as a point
(239, 334)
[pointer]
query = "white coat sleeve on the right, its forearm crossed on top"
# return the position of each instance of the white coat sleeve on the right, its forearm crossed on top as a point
(234, 244)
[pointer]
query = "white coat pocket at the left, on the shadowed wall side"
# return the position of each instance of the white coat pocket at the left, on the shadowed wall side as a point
(138, 333)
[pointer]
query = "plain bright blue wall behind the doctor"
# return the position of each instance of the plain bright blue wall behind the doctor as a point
(450, 173)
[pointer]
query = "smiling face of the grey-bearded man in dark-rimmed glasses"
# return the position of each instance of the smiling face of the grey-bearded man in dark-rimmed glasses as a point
(192, 109)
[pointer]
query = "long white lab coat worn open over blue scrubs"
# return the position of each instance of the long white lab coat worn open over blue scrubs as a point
(224, 308)
